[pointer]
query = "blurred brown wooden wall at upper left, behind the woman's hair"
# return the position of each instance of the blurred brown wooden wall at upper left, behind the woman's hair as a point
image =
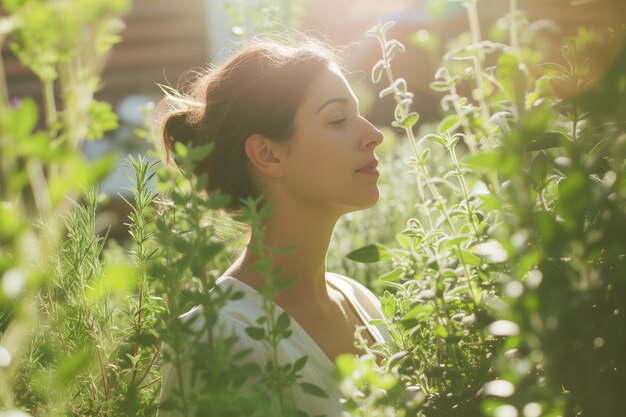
(162, 40)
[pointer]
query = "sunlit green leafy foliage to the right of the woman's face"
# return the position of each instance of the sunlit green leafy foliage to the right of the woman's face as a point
(506, 297)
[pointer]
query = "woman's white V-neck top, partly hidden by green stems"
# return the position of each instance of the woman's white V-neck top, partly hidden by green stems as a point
(236, 315)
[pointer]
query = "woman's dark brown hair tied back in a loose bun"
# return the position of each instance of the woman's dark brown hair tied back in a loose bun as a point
(256, 90)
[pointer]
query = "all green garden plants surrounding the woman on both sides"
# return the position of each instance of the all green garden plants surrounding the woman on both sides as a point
(497, 248)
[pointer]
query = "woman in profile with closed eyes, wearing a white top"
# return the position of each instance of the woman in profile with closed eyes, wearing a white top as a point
(286, 126)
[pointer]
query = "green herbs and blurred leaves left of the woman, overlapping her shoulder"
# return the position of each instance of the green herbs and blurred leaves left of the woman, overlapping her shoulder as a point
(87, 325)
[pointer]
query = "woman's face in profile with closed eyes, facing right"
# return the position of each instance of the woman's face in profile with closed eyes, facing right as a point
(331, 142)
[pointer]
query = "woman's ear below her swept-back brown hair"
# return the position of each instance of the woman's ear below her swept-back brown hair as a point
(265, 155)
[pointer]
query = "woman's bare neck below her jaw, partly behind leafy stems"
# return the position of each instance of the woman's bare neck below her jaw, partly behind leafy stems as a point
(310, 232)
